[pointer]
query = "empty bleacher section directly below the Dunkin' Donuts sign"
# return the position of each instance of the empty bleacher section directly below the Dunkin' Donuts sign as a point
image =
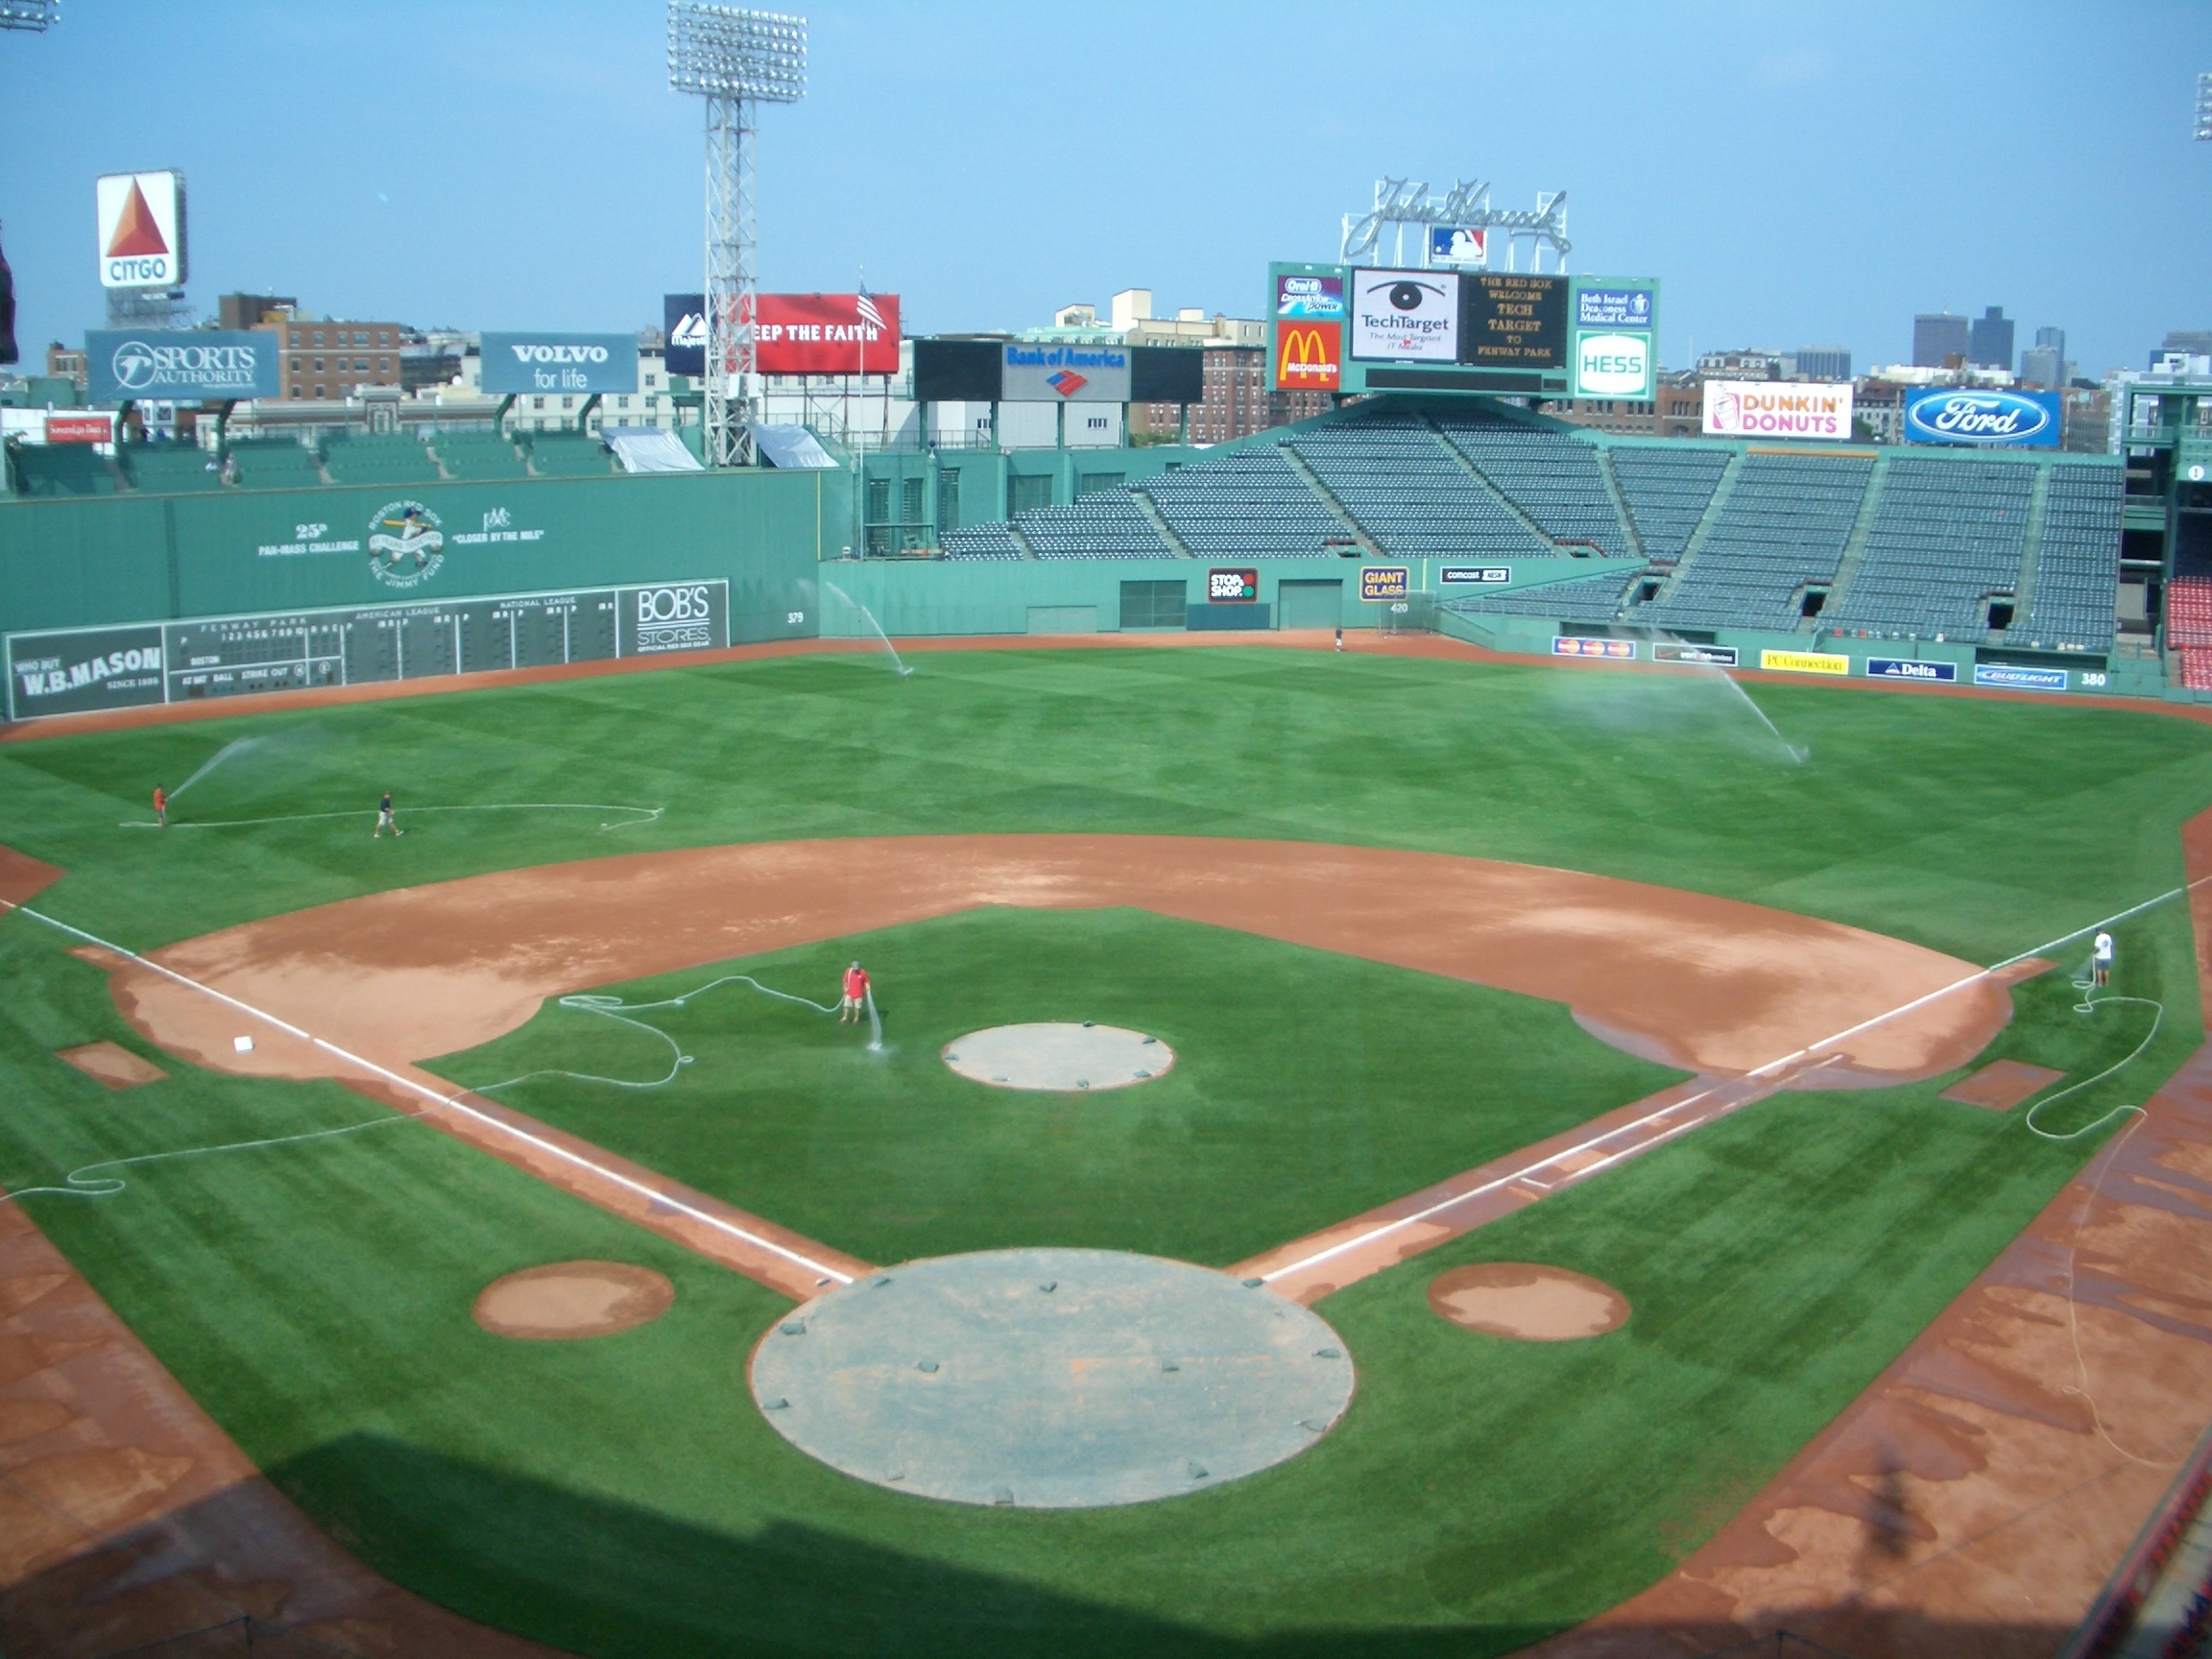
(1782, 528)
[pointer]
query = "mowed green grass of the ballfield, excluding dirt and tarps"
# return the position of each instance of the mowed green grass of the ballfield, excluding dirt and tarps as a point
(623, 1496)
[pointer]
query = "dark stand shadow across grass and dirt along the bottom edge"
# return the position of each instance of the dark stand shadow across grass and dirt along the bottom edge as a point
(605, 1578)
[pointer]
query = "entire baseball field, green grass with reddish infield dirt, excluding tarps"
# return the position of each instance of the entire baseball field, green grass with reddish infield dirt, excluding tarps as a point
(1397, 919)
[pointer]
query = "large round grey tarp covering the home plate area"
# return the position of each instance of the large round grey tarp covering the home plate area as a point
(1052, 1379)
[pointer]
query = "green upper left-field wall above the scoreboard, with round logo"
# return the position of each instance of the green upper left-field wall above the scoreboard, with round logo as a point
(79, 563)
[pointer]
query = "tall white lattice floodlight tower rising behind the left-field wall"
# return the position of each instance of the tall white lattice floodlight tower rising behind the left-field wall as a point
(735, 61)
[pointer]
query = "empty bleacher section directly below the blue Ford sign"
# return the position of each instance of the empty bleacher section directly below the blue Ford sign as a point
(1943, 543)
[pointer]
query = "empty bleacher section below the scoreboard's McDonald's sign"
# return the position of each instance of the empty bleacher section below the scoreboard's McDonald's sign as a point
(1406, 490)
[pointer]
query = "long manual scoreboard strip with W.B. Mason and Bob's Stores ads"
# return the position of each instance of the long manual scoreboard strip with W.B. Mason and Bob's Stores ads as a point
(174, 662)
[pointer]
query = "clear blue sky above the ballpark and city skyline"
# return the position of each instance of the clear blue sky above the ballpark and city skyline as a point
(1793, 174)
